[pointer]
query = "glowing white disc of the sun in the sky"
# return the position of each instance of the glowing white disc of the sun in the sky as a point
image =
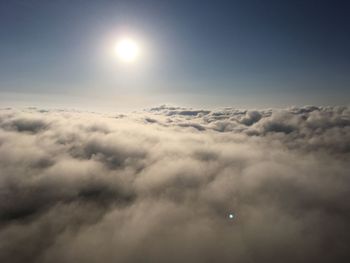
(127, 50)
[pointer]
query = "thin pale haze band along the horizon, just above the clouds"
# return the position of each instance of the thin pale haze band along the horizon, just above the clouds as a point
(138, 101)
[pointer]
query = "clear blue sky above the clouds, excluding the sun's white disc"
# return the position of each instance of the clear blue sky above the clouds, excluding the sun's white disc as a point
(203, 53)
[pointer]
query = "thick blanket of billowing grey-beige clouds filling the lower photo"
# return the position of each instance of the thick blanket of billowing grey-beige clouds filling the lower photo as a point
(158, 185)
